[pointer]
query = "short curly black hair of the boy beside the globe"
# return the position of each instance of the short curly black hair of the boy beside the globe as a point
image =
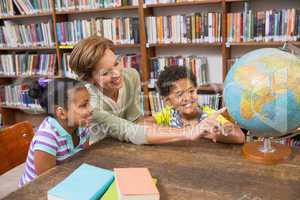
(170, 74)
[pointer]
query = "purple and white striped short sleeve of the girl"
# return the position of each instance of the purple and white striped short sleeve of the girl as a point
(45, 141)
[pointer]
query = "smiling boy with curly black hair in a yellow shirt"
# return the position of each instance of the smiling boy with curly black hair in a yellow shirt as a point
(177, 85)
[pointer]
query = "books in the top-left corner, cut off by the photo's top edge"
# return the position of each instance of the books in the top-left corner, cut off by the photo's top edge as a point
(25, 7)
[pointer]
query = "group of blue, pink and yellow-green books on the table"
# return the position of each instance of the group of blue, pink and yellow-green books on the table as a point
(96, 183)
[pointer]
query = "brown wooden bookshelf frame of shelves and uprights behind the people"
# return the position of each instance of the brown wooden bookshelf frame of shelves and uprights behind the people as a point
(146, 50)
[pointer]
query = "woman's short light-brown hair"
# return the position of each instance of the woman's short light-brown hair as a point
(87, 53)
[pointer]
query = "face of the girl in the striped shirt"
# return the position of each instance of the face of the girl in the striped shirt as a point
(79, 110)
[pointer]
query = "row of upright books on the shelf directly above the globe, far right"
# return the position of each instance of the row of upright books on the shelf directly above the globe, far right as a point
(270, 25)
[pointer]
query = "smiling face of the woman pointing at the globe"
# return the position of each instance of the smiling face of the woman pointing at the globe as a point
(107, 74)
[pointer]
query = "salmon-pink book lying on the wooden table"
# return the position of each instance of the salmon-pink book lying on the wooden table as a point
(135, 184)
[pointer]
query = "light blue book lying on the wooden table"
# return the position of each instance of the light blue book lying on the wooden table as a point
(86, 182)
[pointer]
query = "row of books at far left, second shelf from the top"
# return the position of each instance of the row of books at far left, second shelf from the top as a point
(15, 35)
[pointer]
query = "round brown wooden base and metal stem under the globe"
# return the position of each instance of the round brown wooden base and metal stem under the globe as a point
(266, 153)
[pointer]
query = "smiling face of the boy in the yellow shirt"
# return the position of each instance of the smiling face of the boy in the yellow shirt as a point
(183, 97)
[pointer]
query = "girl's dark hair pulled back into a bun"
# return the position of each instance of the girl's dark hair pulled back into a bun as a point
(54, 93)
